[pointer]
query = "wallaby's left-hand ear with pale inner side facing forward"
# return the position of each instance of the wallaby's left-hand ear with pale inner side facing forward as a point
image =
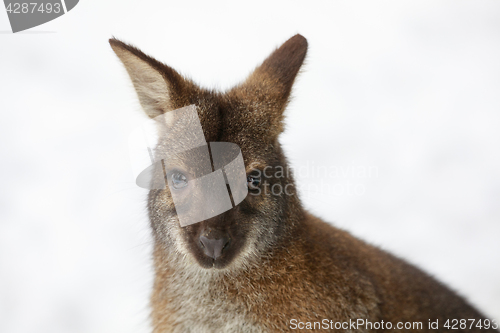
(156, 84)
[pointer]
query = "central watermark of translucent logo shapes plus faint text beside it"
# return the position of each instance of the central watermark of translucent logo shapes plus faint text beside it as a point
(206, 179)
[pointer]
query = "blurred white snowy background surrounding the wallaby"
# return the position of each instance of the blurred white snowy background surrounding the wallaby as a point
(398, 101)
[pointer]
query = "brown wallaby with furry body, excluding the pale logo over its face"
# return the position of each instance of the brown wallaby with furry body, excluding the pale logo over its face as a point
(267, 265)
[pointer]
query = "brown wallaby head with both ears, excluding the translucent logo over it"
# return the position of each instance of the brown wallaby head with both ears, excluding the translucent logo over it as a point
(249, 115)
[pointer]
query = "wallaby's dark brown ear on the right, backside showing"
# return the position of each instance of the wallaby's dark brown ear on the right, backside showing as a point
(275, 76)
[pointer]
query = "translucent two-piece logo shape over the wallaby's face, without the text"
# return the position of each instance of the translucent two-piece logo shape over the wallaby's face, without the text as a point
(205, 179)
